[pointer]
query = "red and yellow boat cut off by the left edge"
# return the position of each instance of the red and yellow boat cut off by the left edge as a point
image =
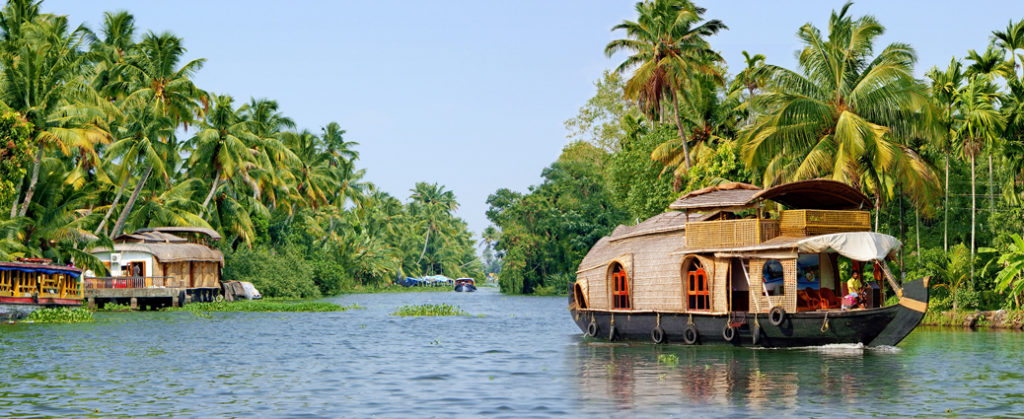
(27, 285)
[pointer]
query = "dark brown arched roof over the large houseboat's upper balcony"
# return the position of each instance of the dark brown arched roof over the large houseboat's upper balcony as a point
(818, 194)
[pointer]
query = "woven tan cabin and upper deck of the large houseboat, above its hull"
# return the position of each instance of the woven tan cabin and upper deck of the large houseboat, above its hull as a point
(737, 247)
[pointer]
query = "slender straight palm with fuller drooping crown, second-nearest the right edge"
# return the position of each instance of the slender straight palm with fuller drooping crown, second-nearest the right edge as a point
(980, 121)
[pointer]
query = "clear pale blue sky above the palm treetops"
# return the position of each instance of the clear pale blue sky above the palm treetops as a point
(473, 95)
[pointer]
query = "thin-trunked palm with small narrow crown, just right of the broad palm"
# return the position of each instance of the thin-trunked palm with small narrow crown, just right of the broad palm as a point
(946, 86)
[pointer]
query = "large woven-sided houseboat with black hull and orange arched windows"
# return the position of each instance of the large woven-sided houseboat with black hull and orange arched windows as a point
(742, 266)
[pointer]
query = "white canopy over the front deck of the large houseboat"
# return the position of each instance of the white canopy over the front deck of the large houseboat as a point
(863, 246)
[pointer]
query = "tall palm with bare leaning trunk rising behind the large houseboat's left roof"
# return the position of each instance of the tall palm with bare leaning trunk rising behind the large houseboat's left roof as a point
(668, 46)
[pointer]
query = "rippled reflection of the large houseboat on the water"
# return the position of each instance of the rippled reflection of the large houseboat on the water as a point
(659, 378)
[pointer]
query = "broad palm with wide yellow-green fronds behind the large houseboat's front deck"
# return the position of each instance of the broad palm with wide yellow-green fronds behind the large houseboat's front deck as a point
(843, 116)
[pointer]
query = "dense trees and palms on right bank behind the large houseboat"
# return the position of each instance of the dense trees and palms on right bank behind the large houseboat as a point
(942, 156)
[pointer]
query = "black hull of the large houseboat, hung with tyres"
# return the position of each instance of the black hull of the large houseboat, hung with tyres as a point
(872, 327)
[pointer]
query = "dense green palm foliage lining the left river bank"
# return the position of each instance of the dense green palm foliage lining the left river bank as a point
(107, 133)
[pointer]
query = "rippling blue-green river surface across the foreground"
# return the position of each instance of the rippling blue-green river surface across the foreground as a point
(515, 358)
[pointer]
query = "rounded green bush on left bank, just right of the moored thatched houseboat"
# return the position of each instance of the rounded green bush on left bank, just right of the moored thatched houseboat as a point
(274, 274)
